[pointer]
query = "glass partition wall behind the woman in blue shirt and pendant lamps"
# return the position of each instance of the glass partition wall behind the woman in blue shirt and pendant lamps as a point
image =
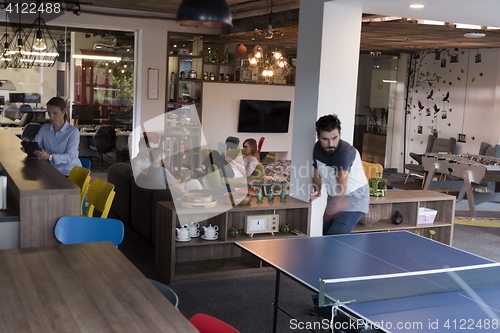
(94, 73)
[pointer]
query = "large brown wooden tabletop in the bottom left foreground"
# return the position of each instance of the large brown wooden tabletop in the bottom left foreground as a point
(88, 287)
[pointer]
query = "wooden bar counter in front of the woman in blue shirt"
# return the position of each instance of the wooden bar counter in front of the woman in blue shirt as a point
(39, 192)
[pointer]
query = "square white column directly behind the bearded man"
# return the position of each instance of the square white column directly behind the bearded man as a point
(326, 82)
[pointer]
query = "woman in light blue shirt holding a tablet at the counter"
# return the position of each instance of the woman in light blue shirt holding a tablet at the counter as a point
(59, 139)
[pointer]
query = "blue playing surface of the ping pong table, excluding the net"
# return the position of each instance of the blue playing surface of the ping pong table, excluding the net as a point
(308, 259)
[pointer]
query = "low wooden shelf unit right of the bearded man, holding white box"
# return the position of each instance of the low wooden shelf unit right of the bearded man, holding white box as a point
(407, 203)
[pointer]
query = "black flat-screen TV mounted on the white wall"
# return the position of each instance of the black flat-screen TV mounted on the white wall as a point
(259, 116)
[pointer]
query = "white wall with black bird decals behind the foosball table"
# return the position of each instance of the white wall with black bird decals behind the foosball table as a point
(474, 110)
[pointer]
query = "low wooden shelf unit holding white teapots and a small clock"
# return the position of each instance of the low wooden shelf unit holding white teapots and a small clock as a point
(180, 261)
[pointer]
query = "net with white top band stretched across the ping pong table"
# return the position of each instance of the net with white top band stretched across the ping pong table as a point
(408, 284)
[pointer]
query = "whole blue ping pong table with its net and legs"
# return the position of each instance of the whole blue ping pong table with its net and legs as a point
(396, 281)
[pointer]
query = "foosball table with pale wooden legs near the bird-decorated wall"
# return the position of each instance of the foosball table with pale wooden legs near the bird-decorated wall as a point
(462, 173)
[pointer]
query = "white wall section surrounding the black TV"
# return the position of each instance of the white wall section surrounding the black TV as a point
(221, 103)
